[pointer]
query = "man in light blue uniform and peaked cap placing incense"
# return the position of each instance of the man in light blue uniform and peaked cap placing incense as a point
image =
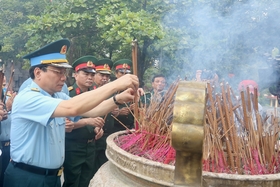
(38, 117)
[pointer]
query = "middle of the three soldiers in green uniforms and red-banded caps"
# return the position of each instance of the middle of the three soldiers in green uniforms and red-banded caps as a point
(102, 76)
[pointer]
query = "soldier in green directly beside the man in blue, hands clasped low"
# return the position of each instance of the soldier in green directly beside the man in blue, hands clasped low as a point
(80, 143)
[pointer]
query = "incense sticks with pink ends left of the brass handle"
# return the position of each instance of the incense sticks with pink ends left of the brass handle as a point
(152, 139)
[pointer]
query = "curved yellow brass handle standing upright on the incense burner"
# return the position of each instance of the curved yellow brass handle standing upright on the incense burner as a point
(187, 132)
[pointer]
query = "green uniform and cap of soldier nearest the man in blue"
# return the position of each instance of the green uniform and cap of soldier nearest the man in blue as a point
(80, 143)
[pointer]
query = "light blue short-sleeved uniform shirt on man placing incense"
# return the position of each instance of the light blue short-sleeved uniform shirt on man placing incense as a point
(37, 138)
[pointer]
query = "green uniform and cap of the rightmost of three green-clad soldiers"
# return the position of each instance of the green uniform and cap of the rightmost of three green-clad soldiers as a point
(123, 66)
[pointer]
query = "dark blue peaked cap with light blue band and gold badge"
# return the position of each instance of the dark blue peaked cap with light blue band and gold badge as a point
(53, 54)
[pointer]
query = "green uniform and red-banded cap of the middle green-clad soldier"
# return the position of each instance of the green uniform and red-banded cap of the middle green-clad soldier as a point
(103, 66)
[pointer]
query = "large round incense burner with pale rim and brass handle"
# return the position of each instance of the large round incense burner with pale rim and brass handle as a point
(127, 170)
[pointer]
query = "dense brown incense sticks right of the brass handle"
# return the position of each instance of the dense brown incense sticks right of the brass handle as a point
(238, 139)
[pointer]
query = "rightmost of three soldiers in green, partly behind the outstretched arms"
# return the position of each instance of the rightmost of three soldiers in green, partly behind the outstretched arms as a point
(123, 67)
